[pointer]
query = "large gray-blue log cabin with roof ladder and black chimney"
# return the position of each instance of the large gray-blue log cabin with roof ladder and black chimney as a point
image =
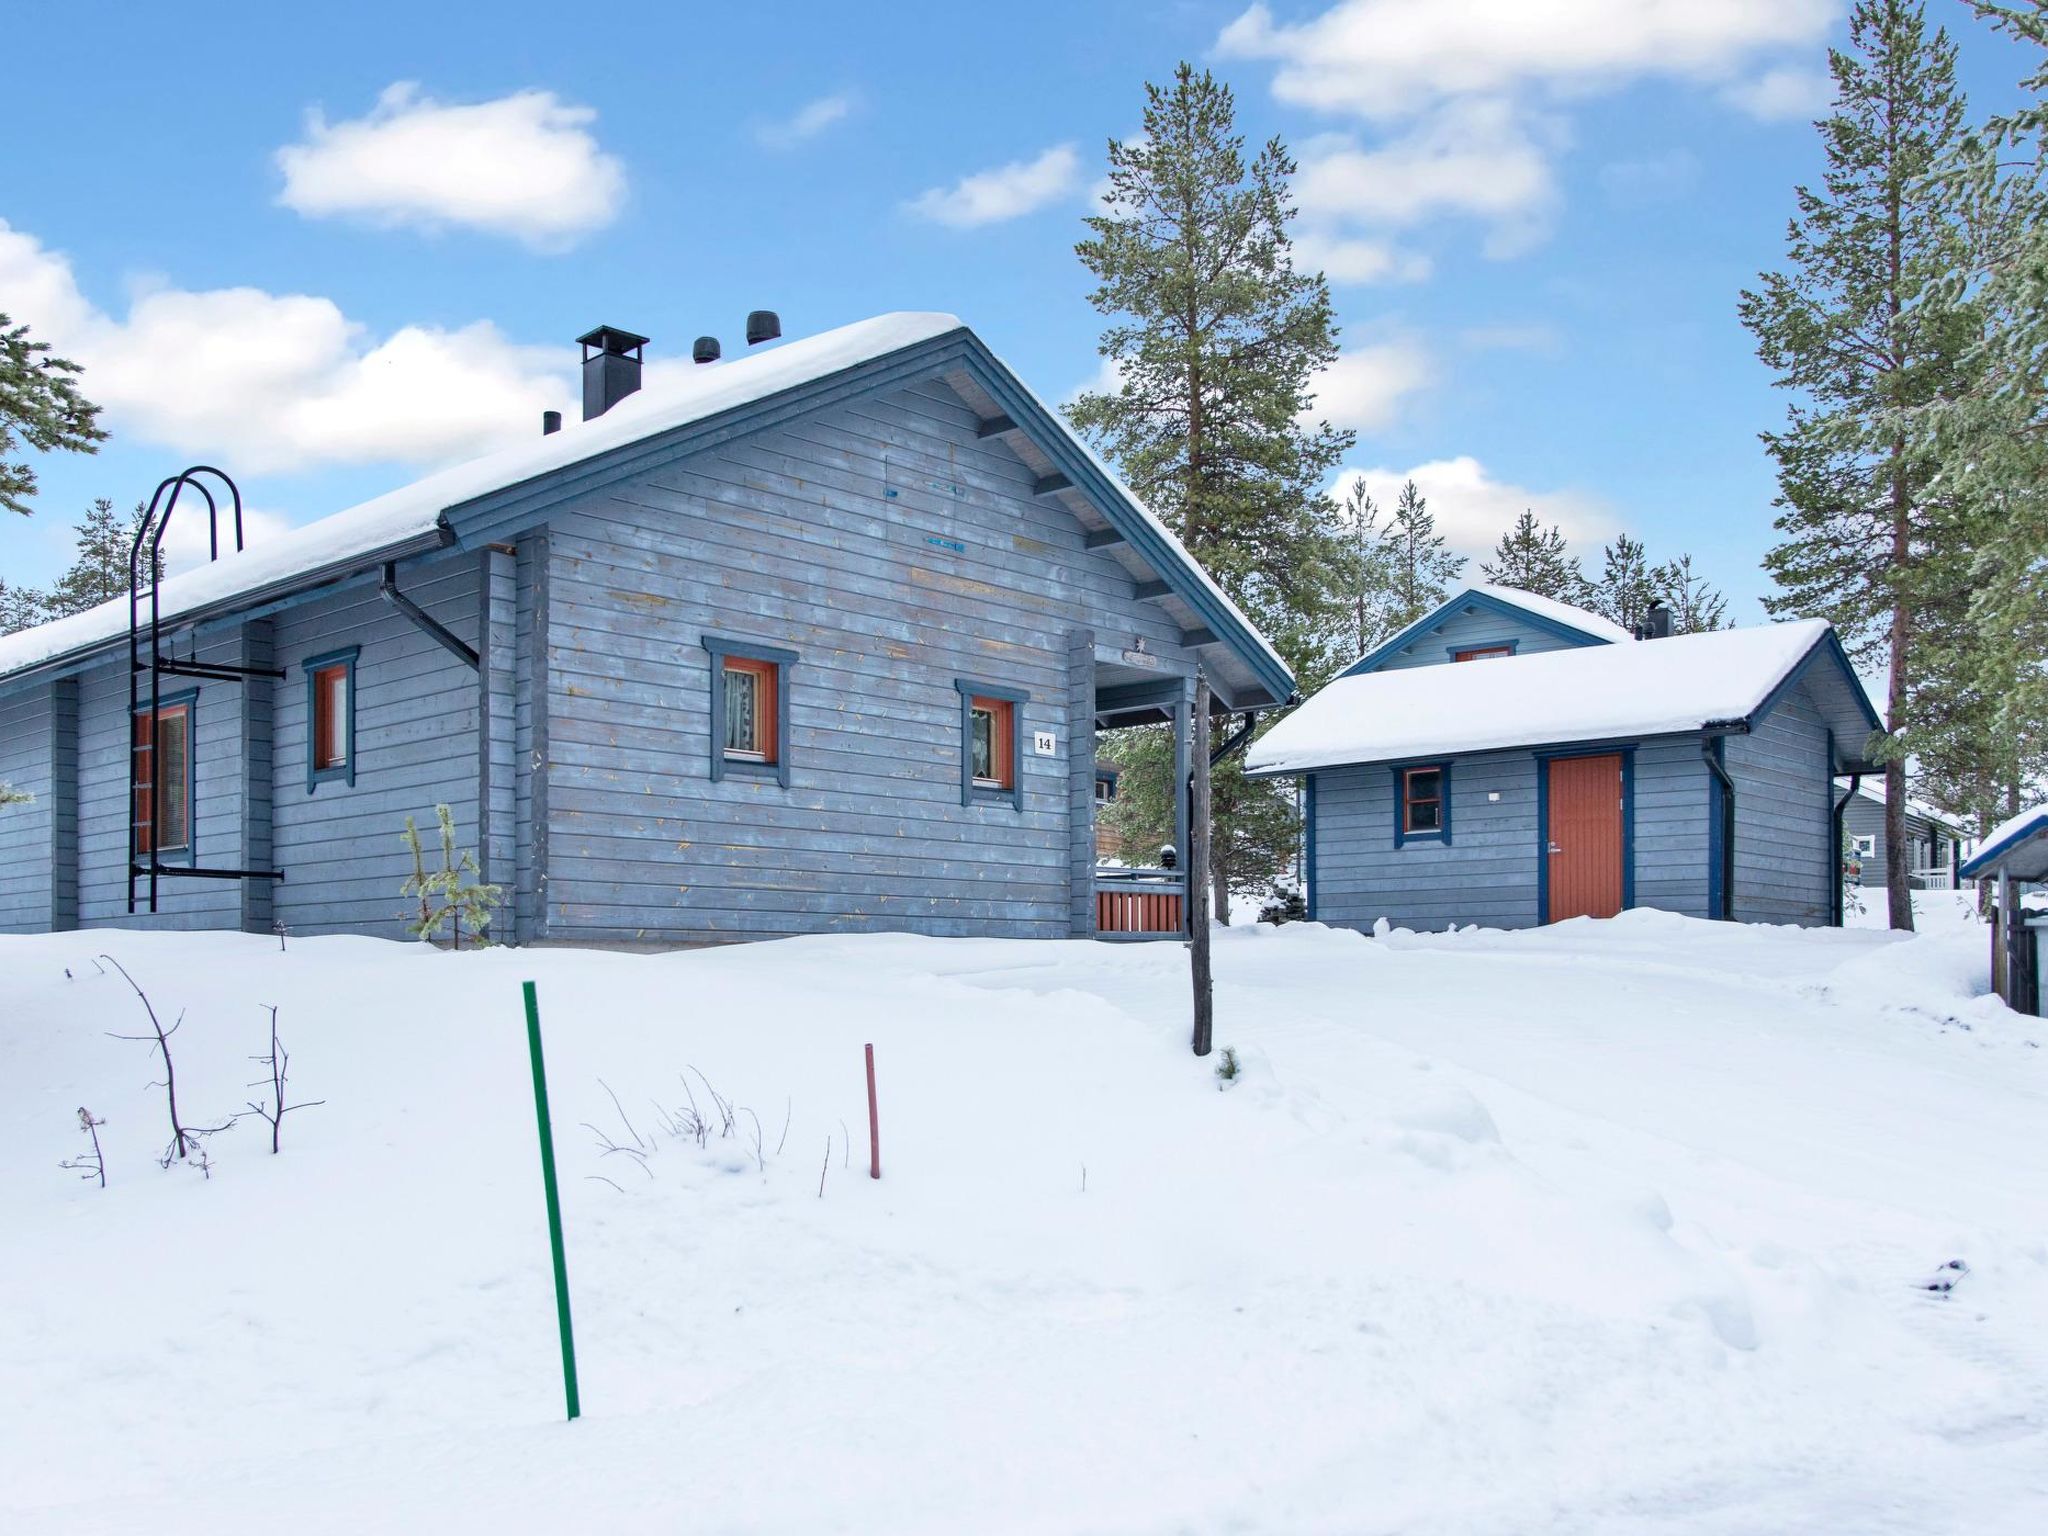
(812, 640)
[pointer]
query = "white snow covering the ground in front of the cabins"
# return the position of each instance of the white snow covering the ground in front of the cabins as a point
(1607, 1228)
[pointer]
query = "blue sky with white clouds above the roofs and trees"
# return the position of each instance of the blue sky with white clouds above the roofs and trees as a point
(335, 247)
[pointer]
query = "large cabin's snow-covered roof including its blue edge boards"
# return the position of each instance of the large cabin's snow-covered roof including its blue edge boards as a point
(413, 519)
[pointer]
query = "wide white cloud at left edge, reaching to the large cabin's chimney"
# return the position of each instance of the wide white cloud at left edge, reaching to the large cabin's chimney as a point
(284, 382)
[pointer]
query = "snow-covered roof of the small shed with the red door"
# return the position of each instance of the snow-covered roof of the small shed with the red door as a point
(1596, 693)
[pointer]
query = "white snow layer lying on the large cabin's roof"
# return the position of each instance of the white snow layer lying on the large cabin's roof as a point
(361, 536)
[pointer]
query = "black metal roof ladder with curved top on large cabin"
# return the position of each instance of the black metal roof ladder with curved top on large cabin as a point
(146, 572)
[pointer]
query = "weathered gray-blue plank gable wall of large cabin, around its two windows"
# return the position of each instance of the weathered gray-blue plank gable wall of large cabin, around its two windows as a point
(894, 552)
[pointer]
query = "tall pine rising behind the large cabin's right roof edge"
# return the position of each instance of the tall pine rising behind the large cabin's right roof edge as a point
(1218, 341)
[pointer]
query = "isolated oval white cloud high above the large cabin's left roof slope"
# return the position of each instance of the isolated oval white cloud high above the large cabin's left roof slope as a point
(523, 167)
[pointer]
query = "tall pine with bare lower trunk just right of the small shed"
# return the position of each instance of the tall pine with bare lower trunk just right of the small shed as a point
(1842, 331)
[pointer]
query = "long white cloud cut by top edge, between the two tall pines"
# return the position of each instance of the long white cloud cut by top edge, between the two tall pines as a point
(1390, 58)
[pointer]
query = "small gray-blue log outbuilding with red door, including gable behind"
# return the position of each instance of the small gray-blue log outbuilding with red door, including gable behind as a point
(1510, 761)
